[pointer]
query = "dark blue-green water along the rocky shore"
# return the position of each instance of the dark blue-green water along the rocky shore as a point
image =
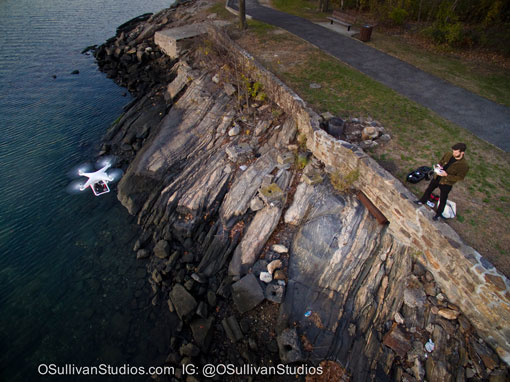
(70, 288)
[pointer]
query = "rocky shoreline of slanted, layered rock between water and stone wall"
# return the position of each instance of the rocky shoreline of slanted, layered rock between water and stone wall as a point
(261, 253)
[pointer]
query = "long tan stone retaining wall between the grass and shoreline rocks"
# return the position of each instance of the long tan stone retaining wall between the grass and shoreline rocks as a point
(470, 281)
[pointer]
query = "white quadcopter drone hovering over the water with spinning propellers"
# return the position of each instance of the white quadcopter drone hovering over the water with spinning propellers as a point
(98, 180)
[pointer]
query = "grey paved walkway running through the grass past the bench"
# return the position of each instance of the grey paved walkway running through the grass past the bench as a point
(486, 119)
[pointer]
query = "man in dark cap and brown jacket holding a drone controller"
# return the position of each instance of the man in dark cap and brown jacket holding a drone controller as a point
(452, 168)
